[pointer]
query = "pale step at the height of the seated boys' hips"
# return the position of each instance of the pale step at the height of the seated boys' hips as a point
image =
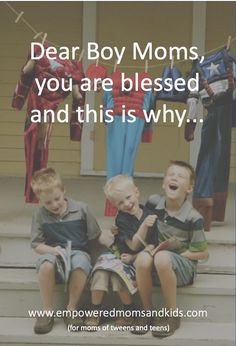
(15, 251)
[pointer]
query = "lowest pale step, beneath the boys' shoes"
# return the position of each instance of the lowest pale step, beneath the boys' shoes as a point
(19, 331)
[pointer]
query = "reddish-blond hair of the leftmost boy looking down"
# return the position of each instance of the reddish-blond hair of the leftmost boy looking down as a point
(46, 179)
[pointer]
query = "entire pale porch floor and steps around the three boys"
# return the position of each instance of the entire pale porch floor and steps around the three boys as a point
(214, 289)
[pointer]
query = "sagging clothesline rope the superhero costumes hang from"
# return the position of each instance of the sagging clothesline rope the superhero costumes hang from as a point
(43, 36)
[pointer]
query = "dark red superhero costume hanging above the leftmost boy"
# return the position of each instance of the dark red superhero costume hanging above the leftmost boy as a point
(36, 135)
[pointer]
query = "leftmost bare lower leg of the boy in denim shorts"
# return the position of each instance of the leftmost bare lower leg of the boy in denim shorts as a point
(46, 278)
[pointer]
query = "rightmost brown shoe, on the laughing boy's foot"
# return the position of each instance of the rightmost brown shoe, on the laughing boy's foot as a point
(165, 326)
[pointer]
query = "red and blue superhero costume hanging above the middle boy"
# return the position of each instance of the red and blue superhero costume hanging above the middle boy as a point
(123, 133)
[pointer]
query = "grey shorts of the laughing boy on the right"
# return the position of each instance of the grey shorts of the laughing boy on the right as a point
(183, 268)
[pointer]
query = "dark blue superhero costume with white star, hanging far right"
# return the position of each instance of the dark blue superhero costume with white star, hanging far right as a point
(216, 93)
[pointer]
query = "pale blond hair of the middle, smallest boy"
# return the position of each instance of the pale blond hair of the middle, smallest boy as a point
(117, 184)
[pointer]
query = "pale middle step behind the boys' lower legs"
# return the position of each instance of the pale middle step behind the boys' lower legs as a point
(214, 293)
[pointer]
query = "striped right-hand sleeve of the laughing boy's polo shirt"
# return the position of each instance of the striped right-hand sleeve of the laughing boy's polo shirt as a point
(198, 240)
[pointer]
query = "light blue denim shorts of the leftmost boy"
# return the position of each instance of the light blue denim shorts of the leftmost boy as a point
(79, 259)
